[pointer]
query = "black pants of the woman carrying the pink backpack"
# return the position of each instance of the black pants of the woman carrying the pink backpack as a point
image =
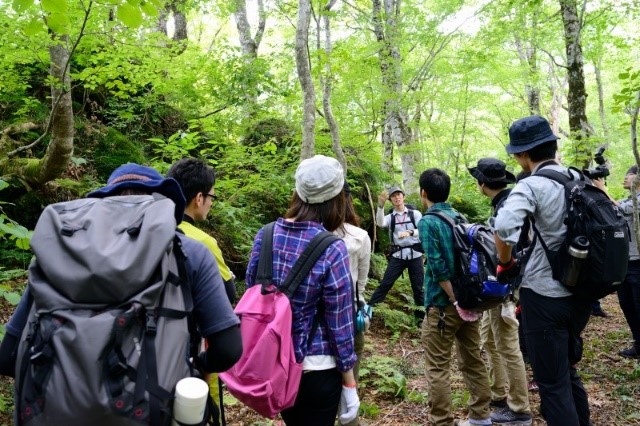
(317, 400)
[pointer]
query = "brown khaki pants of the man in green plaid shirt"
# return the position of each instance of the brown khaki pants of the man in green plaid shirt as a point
(438, 346)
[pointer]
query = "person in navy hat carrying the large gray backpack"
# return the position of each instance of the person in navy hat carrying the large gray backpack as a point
(112, 253)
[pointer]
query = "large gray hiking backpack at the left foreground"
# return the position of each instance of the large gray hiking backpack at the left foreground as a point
(108, 334)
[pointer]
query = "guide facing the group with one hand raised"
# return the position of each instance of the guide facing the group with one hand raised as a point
(405, 250)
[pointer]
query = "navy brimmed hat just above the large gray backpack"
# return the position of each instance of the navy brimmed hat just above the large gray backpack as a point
(135, 176)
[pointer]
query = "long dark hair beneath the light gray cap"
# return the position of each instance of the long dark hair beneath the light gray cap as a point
(330, 213)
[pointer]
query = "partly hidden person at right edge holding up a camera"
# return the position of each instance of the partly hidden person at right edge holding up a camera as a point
(629, 291)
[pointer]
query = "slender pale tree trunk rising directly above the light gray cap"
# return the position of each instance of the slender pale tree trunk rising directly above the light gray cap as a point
(306, 82)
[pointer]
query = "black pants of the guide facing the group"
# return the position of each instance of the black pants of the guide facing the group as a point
(395, 268)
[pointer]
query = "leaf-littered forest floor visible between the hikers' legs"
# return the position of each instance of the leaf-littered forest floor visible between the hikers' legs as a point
(394, 392)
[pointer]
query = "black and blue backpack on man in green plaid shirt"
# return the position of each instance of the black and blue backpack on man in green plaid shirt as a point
(474, 282)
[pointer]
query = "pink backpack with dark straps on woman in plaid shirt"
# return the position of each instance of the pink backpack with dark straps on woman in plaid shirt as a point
(267, 376)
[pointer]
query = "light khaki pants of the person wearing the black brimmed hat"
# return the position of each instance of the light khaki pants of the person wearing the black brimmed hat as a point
(507, 372)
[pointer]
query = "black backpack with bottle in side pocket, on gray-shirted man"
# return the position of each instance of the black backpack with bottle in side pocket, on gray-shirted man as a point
(590, 214)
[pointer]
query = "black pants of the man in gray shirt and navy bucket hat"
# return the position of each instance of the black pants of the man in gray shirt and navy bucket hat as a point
(552, 327)
